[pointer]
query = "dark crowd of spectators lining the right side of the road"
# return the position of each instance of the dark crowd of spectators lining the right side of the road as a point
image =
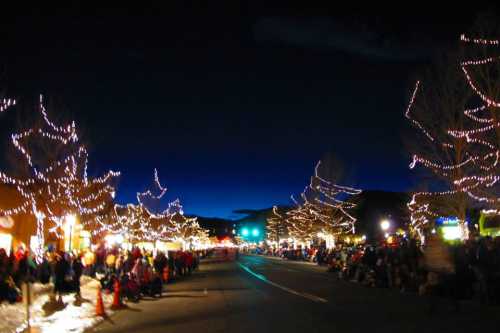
(460, 271)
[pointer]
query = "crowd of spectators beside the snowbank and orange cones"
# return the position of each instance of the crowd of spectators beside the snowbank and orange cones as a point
(139, 272)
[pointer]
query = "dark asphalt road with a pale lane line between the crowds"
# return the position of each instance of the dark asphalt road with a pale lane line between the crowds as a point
(259, 294)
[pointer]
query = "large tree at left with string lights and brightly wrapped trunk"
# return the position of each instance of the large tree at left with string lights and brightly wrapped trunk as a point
(55, 186)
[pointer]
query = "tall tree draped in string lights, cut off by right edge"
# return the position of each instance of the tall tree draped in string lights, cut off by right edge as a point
(483, 76)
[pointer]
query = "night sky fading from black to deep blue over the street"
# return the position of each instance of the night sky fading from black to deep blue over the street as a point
(232, 104)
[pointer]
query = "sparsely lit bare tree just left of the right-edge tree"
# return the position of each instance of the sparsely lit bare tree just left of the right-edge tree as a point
(437, 106)
